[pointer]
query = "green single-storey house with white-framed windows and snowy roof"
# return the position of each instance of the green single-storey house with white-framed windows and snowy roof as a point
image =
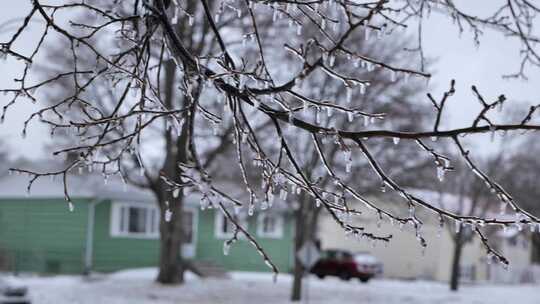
(116, 226)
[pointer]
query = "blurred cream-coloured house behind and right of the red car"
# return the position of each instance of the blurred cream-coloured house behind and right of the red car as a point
(404, 258)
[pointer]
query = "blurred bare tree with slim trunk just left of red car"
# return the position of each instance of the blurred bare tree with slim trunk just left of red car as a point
(306, 217)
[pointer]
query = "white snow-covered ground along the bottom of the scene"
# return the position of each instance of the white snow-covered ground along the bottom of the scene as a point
(137, 286)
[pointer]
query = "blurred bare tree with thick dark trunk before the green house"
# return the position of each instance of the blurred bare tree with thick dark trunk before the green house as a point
(167, 139)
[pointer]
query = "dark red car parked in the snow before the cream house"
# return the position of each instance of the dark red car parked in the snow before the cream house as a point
(347, 265)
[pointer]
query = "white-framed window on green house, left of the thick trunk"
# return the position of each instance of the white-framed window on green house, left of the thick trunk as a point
(135, 220)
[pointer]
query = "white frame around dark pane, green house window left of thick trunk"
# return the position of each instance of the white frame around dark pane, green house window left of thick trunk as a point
(118, 208)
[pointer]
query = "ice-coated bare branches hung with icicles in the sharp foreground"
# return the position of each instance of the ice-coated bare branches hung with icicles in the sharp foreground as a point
(263, 90)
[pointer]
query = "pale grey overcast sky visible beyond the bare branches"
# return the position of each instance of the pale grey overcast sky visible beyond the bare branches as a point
(456, 58)
